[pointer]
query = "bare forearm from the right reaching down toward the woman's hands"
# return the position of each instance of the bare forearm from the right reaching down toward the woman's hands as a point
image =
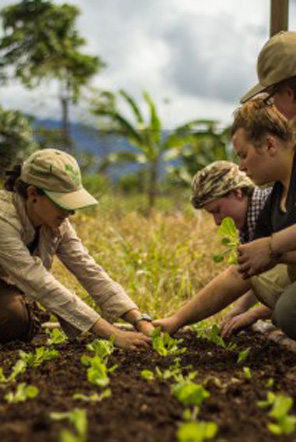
(222, 291)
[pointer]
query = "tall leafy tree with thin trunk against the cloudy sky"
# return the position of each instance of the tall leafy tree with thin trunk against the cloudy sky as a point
(40, 42)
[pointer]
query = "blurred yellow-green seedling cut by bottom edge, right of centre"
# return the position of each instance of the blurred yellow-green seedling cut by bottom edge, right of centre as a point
(196, 431)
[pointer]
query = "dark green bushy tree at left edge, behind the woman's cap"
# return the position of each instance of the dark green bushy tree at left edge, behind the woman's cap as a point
(16, 138)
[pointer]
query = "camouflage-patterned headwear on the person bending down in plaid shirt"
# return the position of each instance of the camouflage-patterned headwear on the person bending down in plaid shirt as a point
(216, 180)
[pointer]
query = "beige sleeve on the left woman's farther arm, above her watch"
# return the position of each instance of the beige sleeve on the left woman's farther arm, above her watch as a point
(108, 294)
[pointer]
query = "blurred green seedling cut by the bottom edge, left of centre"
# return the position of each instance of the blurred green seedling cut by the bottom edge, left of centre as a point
(78, 418)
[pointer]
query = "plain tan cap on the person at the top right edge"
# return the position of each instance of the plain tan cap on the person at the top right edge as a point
(276, 62)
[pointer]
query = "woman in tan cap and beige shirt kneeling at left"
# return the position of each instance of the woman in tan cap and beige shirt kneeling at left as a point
(35, 206)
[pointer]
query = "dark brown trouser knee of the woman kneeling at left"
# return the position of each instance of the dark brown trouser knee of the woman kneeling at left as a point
(17, 321)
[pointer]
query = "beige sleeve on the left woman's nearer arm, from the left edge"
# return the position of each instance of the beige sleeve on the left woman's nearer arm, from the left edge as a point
(29, 275)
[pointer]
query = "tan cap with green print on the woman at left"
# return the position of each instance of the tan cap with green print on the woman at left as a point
(57, 173)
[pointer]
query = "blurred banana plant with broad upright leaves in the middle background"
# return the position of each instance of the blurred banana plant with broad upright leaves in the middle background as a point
(148, 138)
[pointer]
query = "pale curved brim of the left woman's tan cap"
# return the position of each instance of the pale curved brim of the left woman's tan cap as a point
(72, 200)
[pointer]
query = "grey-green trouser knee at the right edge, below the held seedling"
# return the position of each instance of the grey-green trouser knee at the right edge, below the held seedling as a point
(284, 314)
